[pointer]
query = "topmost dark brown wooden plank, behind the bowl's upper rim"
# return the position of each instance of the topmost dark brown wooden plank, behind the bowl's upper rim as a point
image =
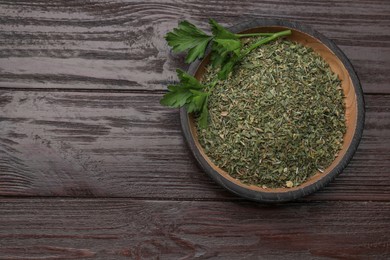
(119, 44)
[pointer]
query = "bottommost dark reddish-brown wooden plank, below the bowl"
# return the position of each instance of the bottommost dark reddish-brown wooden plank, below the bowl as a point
(123, 228)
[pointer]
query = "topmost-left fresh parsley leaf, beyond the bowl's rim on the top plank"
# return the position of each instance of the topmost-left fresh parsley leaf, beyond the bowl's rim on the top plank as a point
(187, 37)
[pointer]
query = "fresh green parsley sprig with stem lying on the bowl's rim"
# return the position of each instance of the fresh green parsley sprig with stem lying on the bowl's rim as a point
(226, 51)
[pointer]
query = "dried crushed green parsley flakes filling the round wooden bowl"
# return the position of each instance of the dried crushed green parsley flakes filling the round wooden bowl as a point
(277, 119)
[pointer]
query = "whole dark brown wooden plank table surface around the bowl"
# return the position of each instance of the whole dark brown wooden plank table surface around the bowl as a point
(91, 166)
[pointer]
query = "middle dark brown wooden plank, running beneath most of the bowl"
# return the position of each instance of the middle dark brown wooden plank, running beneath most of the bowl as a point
(127, 145)
